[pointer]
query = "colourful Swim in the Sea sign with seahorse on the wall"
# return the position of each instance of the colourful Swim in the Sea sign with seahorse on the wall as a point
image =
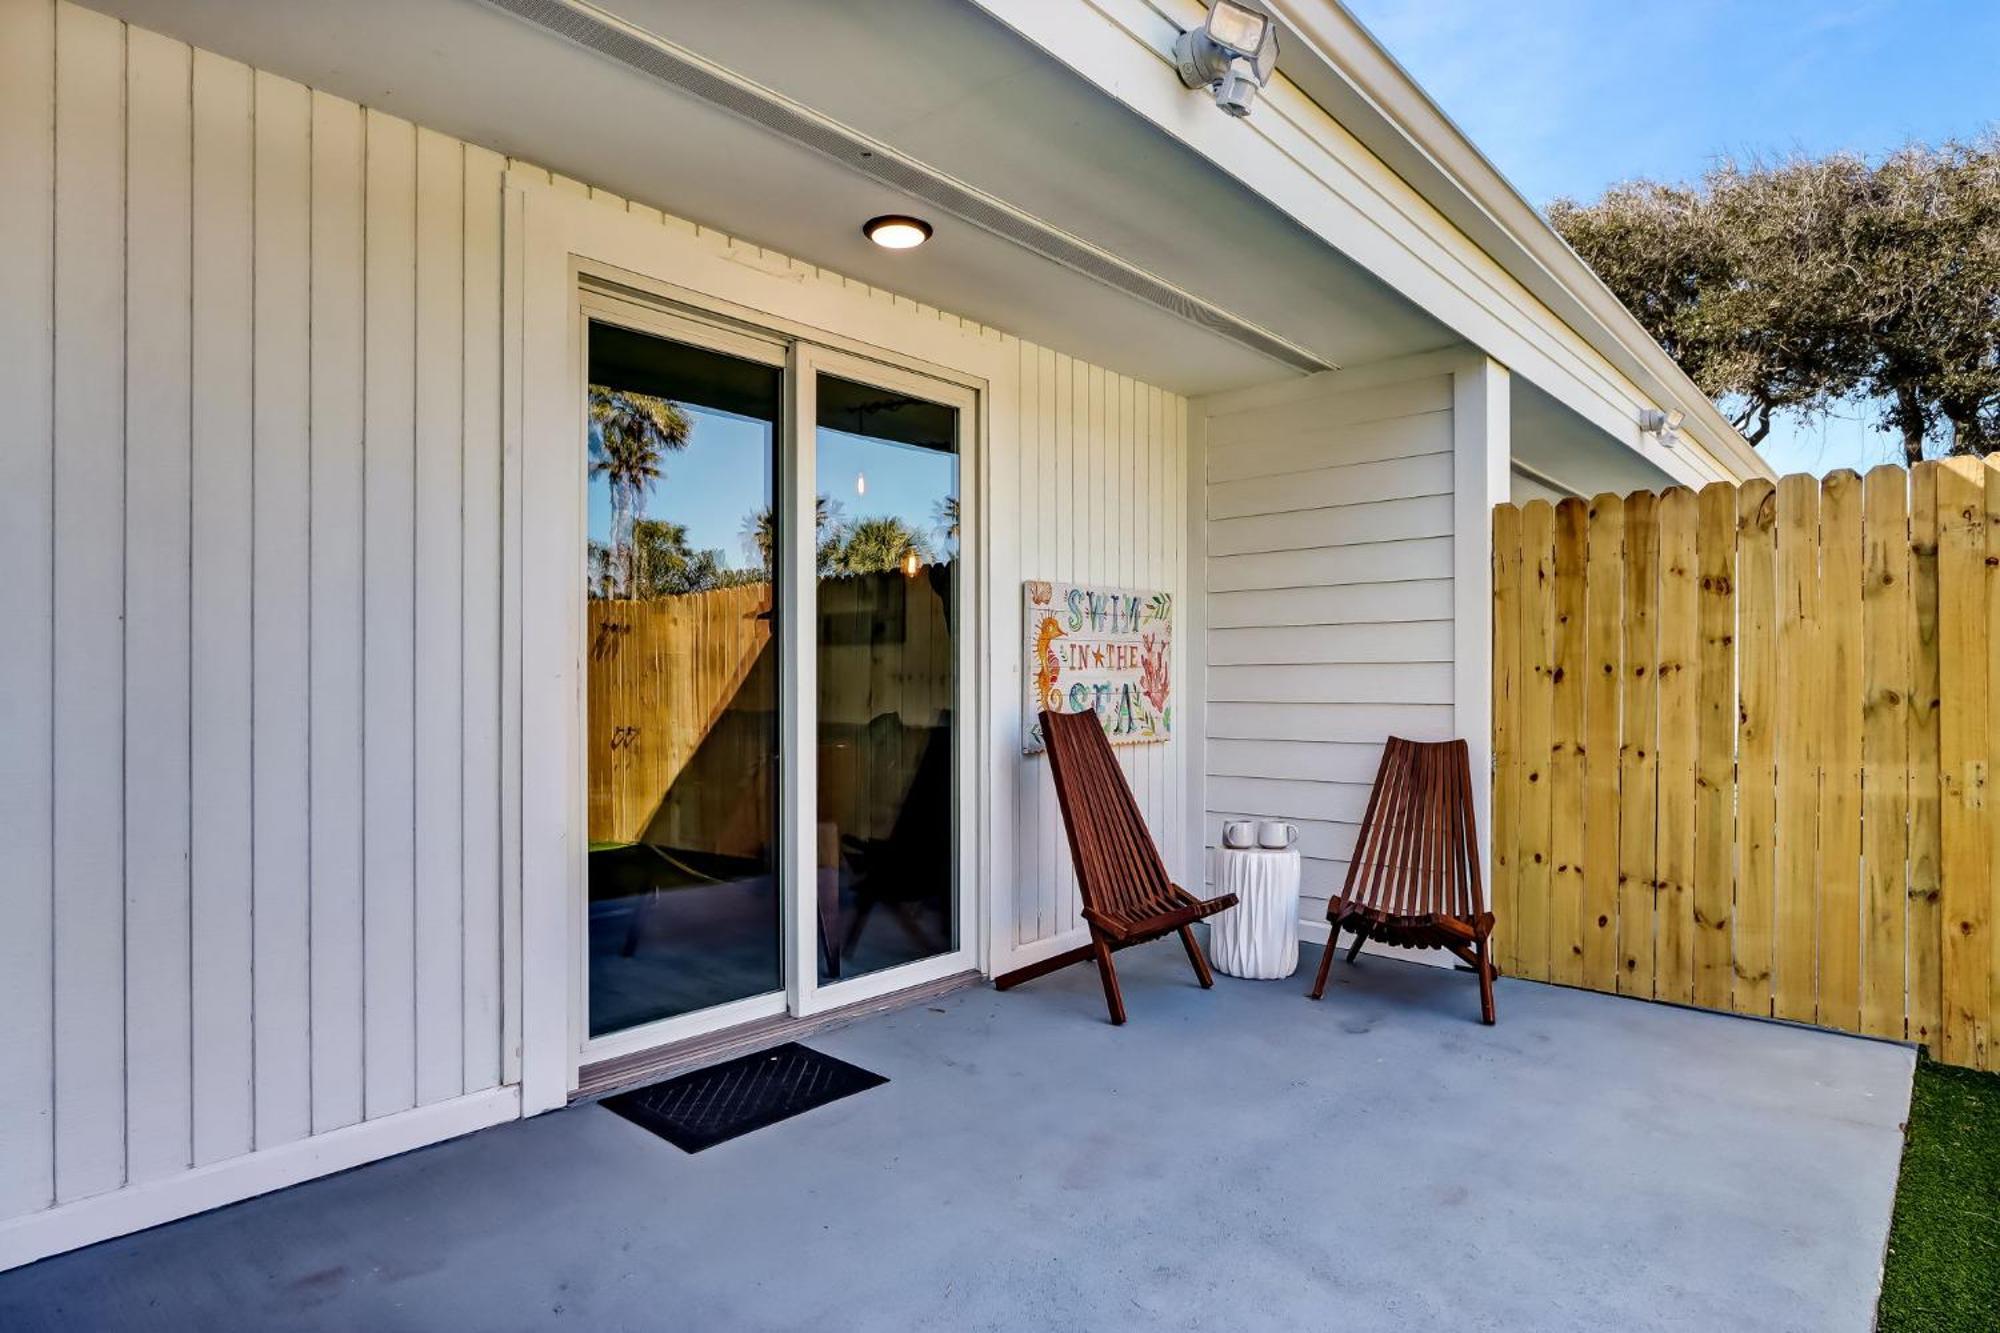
(1101, 651)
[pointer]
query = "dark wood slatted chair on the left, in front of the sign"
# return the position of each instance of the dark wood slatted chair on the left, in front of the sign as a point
(1119, 870)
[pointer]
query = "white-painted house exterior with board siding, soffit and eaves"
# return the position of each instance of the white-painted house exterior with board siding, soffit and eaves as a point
(293, 451)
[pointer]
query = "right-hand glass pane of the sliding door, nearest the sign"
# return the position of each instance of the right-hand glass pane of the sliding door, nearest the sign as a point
(887, 641)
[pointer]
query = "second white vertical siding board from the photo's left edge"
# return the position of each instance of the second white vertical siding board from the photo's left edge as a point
(89, 615)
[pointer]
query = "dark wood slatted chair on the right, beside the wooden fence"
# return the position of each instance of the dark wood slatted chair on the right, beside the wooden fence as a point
(1415, 878)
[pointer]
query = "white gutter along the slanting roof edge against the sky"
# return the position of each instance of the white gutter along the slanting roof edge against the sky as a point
(1335, 61)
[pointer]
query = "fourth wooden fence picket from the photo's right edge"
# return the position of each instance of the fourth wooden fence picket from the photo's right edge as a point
(1887, 623)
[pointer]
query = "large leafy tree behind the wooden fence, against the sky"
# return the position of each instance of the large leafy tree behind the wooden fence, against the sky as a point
(1789, 287)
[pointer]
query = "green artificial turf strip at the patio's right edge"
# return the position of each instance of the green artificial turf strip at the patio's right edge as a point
(1943, 1268)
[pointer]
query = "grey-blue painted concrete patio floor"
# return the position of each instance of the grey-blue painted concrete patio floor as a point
(1239, 1160)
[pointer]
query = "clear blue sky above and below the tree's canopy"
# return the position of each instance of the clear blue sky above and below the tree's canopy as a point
(1569, 97)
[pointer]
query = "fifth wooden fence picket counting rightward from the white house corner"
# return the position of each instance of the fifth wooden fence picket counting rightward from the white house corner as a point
(1637, 762)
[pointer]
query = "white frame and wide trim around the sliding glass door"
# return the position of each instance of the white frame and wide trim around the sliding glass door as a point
(555, 243)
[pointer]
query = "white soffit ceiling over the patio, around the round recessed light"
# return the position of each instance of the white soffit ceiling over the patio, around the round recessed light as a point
(937, 81)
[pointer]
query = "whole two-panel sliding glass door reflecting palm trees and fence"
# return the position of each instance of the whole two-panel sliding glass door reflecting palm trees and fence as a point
(773, 649)
